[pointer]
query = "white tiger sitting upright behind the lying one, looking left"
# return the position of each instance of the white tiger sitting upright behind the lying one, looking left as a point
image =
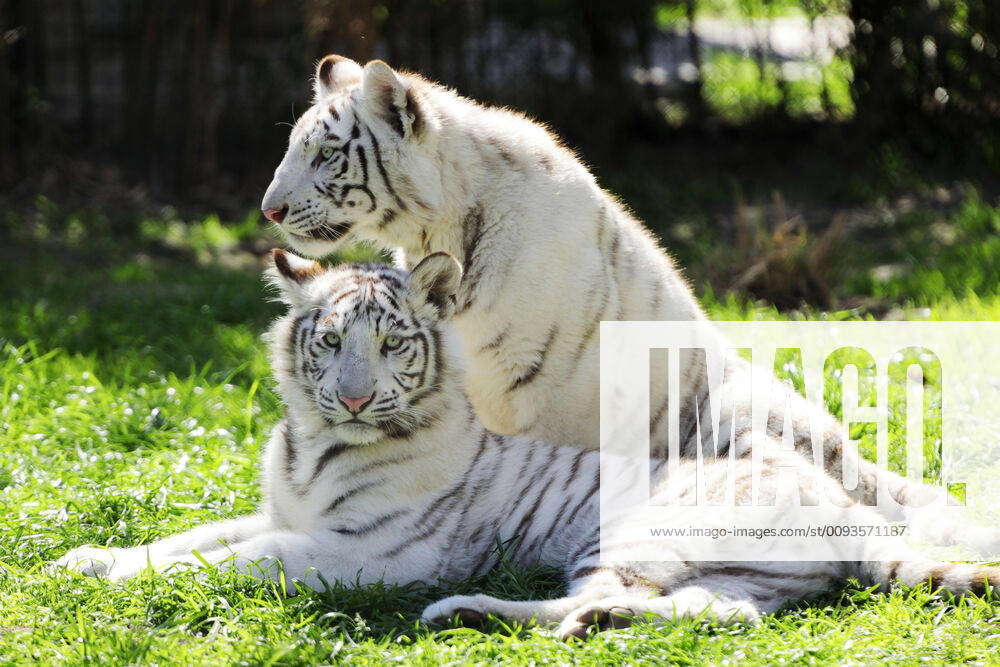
(397, 161)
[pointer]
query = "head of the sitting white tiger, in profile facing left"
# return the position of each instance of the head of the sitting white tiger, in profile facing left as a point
(356, 159)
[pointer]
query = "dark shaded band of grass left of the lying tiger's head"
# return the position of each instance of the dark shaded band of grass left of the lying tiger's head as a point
(137, 315)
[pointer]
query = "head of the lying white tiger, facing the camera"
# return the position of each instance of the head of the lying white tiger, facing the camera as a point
(364, 350)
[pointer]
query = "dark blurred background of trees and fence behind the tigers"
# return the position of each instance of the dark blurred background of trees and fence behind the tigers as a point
(761, 165)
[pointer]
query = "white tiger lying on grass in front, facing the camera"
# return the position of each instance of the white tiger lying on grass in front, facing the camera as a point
(381, 471)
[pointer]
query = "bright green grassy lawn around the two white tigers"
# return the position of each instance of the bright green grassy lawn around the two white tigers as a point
(134, 400)
